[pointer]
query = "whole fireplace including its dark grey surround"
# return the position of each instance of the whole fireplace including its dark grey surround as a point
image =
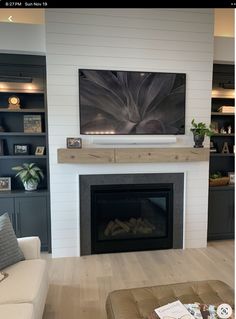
(130, 212)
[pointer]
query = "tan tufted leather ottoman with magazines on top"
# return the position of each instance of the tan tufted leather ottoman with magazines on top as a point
(139, 303)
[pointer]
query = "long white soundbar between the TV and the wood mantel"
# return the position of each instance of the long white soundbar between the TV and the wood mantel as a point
(110, 140)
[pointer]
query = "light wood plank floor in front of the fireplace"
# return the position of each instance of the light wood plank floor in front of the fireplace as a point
(79, 286)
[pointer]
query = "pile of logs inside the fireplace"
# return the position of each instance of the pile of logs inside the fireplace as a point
(133, 225)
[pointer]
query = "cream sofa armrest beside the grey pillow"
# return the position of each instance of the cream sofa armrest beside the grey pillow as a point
(30, 247)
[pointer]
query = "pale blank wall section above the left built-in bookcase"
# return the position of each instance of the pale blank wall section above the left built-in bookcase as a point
(22, 38)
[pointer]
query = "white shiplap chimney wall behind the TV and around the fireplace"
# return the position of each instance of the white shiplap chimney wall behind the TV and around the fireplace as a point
(171, 40)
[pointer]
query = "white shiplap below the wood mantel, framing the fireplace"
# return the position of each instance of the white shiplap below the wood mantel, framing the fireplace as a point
(66, 208)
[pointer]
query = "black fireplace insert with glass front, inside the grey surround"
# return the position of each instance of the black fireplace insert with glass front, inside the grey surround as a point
(131, 217)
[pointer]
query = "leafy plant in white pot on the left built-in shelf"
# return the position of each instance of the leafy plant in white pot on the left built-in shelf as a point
(30, 175)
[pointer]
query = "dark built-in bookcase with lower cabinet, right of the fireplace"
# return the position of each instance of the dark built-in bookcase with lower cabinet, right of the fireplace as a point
(221, 198)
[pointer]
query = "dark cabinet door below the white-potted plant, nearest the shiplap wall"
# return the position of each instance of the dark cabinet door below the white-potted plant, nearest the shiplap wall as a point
(31, 217)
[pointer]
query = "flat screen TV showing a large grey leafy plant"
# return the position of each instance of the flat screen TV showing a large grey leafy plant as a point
(131, 102)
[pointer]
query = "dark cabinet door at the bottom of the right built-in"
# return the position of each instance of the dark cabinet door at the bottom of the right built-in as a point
(221, 214)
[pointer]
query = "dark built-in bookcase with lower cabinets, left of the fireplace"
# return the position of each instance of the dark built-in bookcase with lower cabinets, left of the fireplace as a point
(30, 210)
